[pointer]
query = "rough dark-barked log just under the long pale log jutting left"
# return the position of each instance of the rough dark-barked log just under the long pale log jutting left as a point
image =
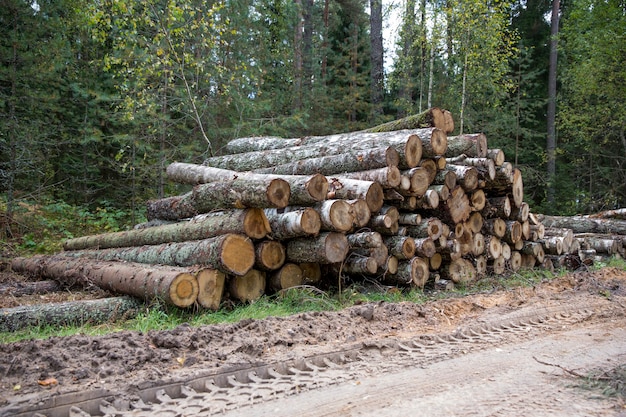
(204, 198)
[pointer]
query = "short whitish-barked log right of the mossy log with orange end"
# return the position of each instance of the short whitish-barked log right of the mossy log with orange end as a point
(296, 223)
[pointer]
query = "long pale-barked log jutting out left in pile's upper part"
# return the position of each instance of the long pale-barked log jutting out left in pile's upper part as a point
(305, 189)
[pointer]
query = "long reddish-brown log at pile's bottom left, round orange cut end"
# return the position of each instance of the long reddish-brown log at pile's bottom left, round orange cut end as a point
(174, 286)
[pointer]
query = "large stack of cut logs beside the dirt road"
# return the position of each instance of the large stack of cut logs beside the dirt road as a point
(409, 207)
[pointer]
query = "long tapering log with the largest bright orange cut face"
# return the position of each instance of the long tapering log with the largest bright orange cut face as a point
(230, 253)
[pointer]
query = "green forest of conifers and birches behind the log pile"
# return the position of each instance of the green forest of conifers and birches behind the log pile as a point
(98, 97)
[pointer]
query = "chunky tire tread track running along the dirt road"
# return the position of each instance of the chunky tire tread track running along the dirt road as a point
(217, 394)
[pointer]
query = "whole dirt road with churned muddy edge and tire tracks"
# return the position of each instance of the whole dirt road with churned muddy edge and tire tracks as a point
(502, 353)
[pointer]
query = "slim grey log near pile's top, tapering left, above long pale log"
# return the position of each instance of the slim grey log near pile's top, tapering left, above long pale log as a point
(348, 161)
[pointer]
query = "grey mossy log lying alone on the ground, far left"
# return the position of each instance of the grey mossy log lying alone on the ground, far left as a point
(69, 313)
